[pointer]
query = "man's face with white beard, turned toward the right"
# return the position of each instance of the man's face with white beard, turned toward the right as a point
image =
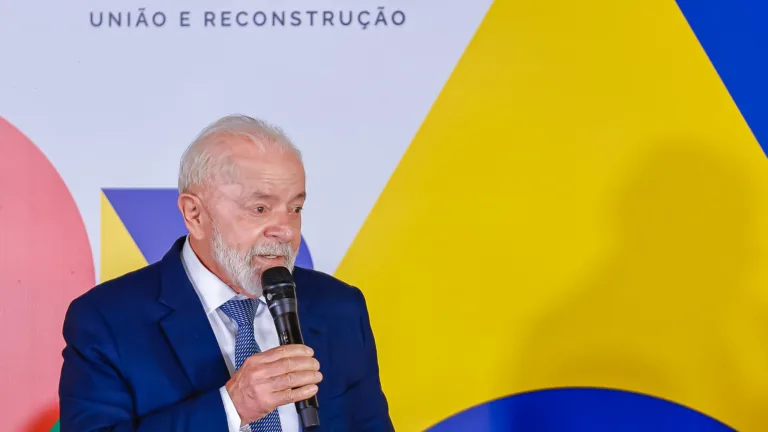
(255, 217)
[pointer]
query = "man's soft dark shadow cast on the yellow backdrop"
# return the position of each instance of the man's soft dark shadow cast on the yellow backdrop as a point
(655, 318)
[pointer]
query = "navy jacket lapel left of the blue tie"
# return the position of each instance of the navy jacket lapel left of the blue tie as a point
(187, 327)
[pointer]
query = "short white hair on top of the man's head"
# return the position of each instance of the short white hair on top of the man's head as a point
(199, 163)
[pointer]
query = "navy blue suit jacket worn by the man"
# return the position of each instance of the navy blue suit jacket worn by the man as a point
(140, 355)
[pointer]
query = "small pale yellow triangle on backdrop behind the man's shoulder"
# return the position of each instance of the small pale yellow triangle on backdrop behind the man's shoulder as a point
(119, 253)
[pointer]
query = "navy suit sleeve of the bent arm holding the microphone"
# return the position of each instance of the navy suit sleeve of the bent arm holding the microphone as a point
(94, 395)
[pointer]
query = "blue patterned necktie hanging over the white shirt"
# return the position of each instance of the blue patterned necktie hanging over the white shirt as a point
(242, 312)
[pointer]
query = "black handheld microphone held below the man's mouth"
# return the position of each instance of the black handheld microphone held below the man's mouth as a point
(280, 292)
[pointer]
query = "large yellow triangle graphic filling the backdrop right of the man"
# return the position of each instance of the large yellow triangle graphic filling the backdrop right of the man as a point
(583, 206)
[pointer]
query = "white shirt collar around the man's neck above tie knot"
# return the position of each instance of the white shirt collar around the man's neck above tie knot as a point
(212, 291)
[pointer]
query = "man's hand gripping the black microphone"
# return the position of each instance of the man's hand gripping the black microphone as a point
(275, 377)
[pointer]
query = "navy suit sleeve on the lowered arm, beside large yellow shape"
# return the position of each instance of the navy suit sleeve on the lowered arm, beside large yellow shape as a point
(372, 413)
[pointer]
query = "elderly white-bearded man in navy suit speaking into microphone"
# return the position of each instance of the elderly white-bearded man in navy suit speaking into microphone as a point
(187, 343)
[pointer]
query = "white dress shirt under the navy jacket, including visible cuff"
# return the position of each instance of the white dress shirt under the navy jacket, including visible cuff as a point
(213, 293)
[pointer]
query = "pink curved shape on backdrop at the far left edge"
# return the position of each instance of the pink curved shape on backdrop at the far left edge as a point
(45, 262)
